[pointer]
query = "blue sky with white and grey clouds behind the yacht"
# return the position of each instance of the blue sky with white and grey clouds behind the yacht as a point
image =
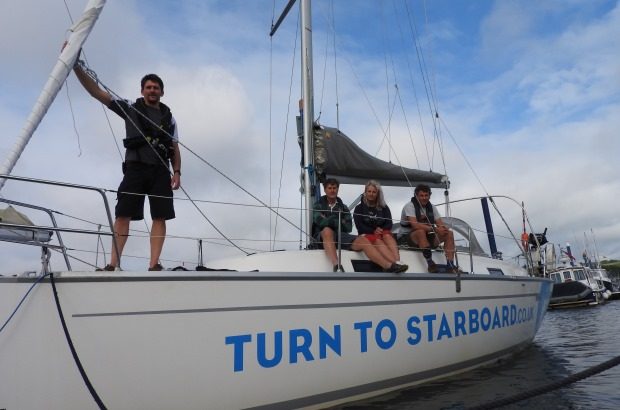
(527, 95)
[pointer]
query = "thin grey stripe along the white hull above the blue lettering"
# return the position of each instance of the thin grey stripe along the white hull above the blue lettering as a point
(301, 307)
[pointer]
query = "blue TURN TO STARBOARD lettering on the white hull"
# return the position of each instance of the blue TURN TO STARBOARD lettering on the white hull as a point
(271, 349)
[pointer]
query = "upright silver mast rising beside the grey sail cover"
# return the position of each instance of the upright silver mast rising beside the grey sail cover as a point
(308, 108)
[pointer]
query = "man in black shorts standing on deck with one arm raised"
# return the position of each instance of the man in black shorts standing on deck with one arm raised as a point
(151, 145)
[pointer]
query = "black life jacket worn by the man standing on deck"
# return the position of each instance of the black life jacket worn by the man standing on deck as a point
(157, 136)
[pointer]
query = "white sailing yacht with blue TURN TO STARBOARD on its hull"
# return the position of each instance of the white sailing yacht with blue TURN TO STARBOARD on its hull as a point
(270, 330)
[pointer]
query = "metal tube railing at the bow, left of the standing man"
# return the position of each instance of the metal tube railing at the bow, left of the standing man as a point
(55, 228)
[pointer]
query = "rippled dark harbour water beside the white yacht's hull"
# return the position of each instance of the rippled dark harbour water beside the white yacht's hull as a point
(569, 341)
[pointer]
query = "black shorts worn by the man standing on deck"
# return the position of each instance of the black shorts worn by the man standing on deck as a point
(141, 179)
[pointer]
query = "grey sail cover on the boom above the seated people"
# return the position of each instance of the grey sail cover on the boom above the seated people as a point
(337, 156)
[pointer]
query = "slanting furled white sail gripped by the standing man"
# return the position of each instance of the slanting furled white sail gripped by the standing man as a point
(79, 32)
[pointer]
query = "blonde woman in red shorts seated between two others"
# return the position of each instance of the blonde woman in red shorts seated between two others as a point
(373, 221)
